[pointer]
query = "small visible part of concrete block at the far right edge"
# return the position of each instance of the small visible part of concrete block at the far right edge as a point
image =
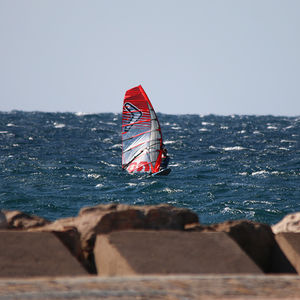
(289, 243)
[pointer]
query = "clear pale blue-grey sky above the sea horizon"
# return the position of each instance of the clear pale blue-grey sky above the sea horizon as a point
(193, 56)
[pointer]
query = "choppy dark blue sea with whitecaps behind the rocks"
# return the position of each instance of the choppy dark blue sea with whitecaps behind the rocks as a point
(223, 167)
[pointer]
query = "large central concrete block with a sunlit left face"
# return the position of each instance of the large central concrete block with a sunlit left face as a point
(168, 252)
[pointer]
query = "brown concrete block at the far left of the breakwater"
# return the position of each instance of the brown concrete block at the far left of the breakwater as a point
(26, 254)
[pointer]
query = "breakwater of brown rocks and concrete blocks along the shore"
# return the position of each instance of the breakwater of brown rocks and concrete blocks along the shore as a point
(118, 239)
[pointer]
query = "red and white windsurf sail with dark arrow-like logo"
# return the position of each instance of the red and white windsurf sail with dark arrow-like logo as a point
(141, 134)
